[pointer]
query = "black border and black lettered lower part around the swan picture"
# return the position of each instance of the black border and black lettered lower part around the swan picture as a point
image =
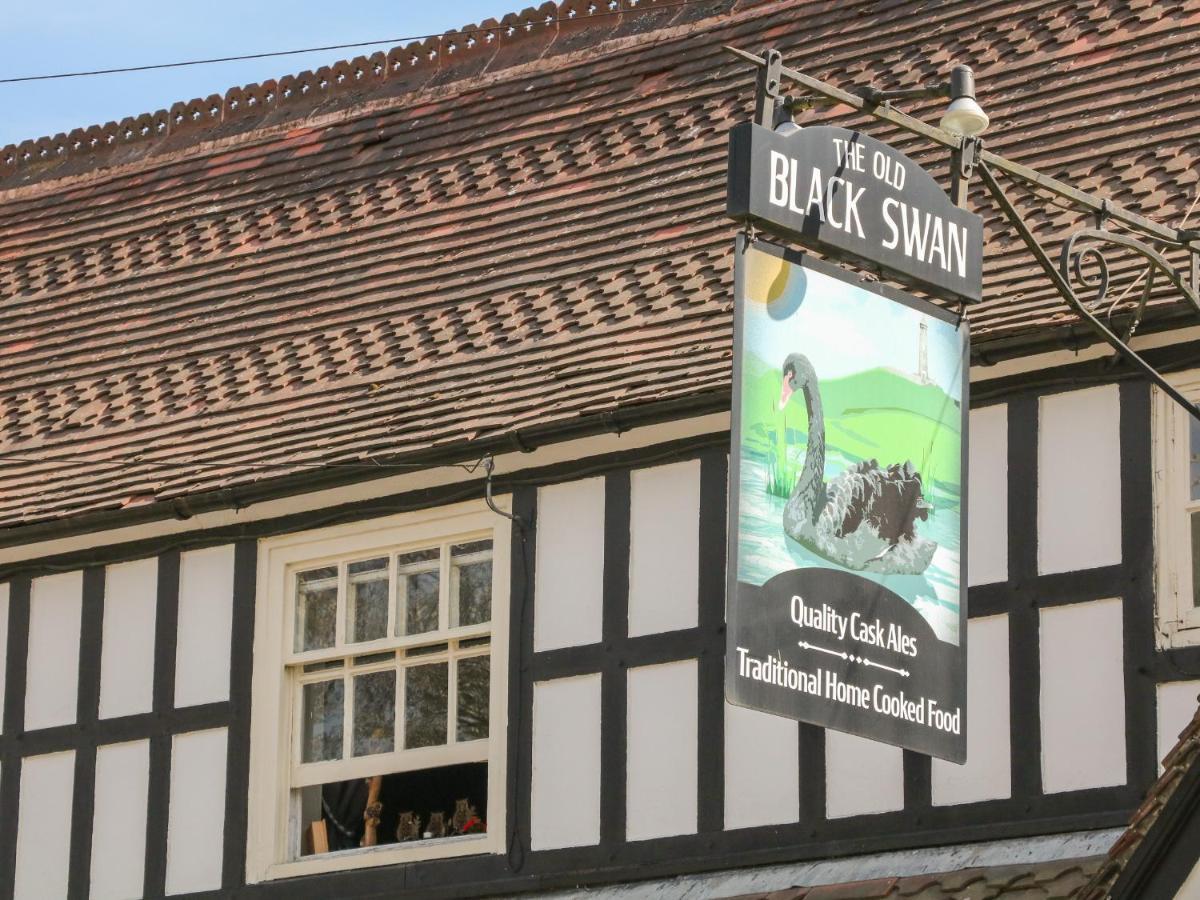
(755, 620)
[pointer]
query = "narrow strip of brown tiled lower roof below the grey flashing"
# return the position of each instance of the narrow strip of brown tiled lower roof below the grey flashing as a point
(1041, 881)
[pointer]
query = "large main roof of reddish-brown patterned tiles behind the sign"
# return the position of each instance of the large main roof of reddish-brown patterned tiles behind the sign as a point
(427, 251)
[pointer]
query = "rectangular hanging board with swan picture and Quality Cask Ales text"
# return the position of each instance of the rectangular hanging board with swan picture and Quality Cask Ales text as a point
(848, 566)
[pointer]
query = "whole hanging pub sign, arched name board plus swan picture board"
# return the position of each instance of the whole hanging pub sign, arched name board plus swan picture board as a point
(848, 567)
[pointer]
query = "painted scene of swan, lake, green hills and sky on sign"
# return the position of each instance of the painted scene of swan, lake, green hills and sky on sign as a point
(849, 437)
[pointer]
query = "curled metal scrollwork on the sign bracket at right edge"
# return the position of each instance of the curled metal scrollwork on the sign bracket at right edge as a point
(1083, 248)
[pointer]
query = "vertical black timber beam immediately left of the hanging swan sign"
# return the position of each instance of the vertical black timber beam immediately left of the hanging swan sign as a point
(711, 694)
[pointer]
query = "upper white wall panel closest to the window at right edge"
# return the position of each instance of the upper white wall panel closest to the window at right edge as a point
(1079, 481)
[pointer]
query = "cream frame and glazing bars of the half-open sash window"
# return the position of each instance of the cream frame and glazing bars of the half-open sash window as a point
(274, 754)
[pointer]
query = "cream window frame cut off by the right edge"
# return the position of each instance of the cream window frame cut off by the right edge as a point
(1177, 616)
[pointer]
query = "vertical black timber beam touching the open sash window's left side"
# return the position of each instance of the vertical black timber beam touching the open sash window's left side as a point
(245, 574)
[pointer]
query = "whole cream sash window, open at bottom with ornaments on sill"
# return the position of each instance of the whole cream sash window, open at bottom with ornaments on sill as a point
(380, 694)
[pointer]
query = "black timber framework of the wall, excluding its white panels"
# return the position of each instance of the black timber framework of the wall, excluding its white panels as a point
(1023, 599)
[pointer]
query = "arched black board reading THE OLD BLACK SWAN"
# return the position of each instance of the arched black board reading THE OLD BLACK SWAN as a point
(851, 196)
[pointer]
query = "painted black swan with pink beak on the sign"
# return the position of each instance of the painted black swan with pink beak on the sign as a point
(866, 518)
